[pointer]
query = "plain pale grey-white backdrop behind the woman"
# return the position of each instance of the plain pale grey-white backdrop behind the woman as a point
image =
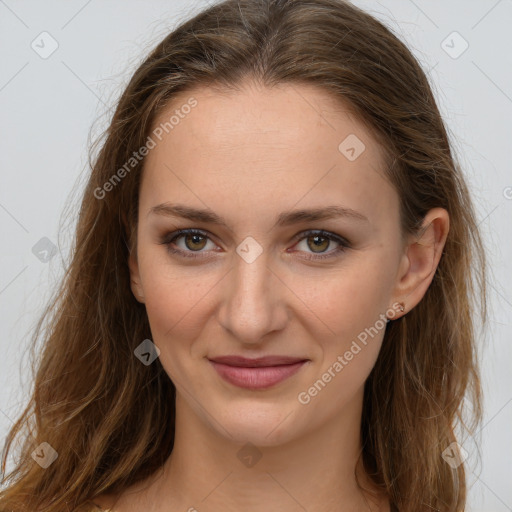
(49, 108)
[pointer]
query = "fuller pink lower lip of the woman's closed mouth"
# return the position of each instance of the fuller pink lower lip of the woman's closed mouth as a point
(256, 378)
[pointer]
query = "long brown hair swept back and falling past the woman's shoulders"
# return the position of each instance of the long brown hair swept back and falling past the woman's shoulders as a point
(111, 418)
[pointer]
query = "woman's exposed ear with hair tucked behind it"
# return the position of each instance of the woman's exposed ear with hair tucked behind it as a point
(421, 257)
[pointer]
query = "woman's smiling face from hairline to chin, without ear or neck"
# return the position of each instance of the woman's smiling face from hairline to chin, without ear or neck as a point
(255, 277)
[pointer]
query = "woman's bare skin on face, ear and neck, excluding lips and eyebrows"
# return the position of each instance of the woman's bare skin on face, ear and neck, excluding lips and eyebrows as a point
(248, 156)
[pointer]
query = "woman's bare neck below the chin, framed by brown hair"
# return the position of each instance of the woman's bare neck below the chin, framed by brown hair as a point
(316, 472)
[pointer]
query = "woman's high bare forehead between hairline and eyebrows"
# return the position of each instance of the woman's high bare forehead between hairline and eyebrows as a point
(258, 147)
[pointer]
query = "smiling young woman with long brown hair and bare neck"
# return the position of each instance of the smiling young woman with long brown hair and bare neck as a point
(270, 301)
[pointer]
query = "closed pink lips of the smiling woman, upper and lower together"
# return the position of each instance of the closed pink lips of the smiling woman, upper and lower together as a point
(259, 373)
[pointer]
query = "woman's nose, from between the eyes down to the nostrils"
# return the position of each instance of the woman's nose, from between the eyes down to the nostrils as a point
(254, 301)
